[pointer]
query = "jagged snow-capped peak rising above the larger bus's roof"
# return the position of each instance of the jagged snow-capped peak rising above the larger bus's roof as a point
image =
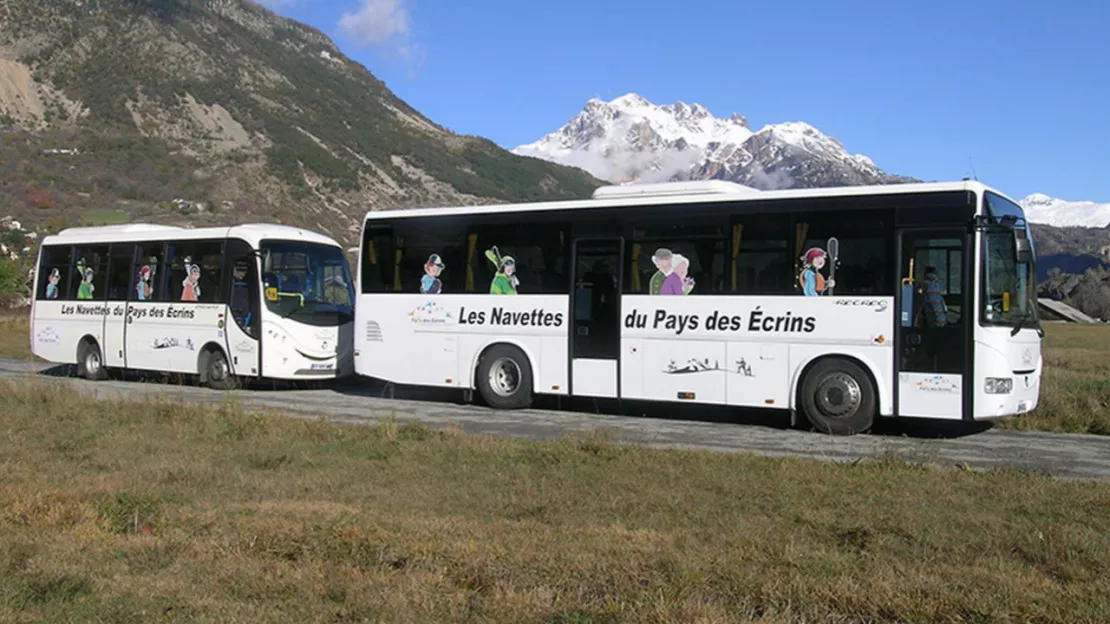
(632, 139)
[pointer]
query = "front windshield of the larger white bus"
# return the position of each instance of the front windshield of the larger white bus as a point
(1010, 287)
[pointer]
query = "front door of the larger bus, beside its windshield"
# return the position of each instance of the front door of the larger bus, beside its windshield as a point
(933, 317)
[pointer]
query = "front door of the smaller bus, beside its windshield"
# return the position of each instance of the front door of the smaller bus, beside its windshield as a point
(245, 300)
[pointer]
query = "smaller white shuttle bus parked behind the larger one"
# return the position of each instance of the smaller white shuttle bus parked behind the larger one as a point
(224, 304)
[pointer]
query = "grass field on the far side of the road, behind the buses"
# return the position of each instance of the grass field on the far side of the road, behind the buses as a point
(1075, 395)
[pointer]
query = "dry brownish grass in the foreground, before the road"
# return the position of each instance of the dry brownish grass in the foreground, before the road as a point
(120, 512)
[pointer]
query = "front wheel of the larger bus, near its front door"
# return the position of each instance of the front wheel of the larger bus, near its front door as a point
(839, 398)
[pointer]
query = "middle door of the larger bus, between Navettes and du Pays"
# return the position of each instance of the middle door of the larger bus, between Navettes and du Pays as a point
(596, 318)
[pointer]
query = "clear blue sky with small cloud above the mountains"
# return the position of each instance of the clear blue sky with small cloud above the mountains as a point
(1020, 89)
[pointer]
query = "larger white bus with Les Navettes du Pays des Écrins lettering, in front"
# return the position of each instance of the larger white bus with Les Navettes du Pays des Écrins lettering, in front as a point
(842, 305)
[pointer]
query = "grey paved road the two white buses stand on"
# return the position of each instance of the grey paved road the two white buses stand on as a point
(1065, 456)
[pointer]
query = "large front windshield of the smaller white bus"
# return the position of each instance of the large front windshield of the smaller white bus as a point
(308, 283)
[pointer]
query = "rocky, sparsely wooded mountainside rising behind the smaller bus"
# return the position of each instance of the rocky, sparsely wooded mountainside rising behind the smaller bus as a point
(221, 112)
